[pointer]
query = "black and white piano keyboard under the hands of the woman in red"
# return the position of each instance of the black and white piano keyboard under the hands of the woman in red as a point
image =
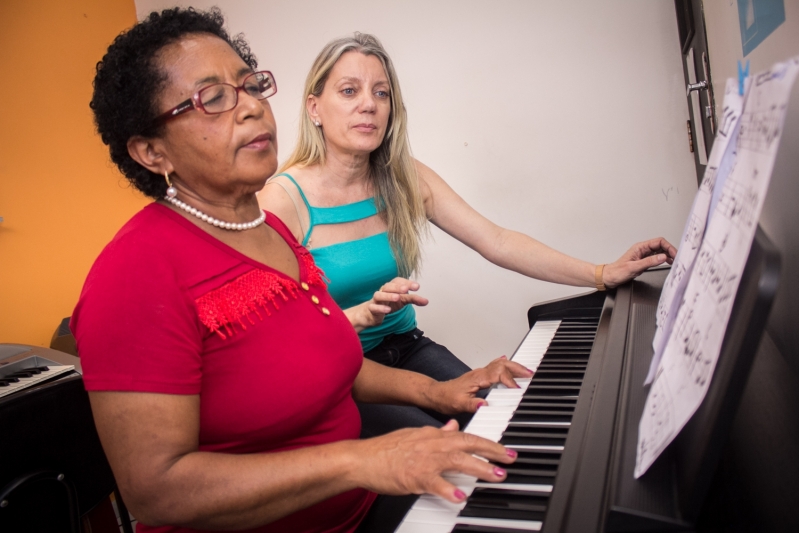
(534, 420)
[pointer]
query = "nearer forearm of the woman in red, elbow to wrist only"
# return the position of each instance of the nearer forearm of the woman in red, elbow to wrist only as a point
(206, 490)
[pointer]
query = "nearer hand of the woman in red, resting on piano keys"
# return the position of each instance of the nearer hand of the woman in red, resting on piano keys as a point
(412, 461)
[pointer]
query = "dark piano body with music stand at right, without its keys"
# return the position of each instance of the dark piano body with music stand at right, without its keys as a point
(685, 489)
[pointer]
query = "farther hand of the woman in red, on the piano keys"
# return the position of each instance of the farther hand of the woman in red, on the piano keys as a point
(459, 395)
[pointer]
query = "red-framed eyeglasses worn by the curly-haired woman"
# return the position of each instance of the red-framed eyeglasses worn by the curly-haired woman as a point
(221, 97)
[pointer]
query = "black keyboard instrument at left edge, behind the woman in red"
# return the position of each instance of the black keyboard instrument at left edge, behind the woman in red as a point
(52, 467)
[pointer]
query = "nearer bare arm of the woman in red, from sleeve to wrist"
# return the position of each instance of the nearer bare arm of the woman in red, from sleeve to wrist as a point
(165, 480)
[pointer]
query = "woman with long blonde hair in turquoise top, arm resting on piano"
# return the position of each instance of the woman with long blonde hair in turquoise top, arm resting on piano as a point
(352, 193)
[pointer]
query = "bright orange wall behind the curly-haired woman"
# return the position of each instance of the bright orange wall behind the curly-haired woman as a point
(61, 198)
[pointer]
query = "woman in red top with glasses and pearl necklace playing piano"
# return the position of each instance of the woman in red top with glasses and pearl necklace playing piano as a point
(221, 373)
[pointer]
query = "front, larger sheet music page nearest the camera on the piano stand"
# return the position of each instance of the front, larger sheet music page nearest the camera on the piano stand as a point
(693, 345)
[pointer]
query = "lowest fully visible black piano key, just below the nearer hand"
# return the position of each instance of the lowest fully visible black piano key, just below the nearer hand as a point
(506, 504)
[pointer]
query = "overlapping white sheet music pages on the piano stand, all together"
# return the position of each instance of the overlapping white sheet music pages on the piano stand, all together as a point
(699, 293)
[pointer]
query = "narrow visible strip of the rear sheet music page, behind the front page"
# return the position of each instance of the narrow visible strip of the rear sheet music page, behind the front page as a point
(715, 175)
